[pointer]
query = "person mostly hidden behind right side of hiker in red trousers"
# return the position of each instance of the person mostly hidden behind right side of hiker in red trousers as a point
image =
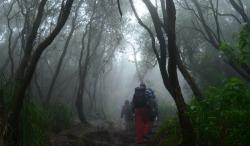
(153, 107)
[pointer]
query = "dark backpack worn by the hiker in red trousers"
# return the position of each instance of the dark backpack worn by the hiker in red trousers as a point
(139, 99)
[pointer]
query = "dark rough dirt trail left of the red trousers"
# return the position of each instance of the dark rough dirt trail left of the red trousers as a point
(82, 135)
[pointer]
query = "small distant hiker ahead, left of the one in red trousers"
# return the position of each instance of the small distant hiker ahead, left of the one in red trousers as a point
(127, 115)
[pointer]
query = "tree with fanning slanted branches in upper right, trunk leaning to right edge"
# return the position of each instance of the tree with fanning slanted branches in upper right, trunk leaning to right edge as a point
(214, 37)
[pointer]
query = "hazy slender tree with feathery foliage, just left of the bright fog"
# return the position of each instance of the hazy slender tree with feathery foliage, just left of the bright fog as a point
(97, 47)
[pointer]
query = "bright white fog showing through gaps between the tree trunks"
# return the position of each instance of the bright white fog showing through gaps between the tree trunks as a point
(118, 77)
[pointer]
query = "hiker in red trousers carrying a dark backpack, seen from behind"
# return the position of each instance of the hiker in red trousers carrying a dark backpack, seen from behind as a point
(141, 110)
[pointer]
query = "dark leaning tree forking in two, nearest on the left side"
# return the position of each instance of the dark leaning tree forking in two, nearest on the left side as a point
(28, 64)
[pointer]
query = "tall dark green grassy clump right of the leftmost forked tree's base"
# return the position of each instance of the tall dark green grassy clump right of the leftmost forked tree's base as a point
(34, 124)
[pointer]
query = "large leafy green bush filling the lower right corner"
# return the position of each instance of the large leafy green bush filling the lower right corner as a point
(223, 117)
